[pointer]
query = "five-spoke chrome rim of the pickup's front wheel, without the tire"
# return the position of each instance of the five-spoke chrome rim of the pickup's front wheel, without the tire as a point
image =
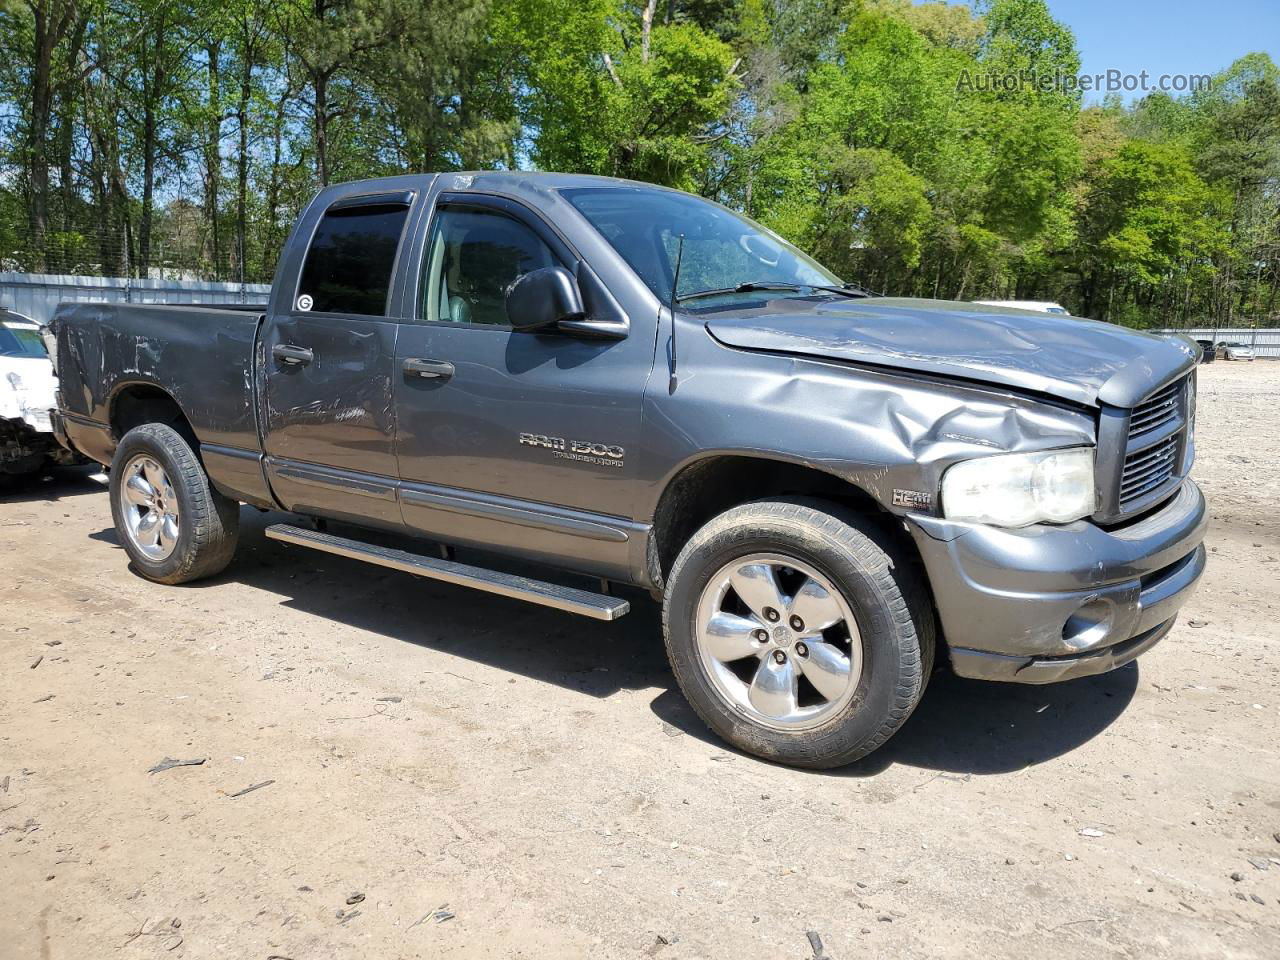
(779, 642)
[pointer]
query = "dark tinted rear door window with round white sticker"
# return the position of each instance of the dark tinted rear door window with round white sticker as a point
(351, 262)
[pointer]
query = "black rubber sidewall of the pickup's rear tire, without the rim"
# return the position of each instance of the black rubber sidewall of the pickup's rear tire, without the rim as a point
(157, 441)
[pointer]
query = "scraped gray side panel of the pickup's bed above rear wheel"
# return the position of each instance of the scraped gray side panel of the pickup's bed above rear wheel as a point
(203, 359)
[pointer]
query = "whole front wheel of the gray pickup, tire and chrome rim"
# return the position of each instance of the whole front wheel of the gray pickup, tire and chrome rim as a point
(863, 573)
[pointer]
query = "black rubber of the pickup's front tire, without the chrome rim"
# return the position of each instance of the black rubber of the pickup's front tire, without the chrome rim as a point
(883, 641)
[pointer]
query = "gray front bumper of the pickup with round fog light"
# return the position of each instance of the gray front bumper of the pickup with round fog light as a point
(1049, 604)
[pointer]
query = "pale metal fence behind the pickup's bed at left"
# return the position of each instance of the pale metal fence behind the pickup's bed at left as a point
(39, 295)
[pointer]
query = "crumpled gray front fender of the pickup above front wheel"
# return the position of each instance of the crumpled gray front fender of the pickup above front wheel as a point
(890, 435)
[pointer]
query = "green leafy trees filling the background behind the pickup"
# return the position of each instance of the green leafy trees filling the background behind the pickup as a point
(184, 136)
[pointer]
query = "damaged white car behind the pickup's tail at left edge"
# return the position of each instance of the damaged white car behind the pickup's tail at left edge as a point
(29, 392)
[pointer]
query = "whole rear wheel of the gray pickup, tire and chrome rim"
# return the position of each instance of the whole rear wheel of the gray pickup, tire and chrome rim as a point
(207, 524)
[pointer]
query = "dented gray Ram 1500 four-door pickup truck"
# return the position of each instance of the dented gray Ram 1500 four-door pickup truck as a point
(824, 488)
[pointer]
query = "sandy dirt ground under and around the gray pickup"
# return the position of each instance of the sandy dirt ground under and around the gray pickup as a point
(451, 775)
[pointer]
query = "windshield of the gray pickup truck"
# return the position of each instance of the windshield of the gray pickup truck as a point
(723, 249)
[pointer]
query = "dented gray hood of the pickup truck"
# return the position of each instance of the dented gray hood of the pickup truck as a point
(1082, 362)
